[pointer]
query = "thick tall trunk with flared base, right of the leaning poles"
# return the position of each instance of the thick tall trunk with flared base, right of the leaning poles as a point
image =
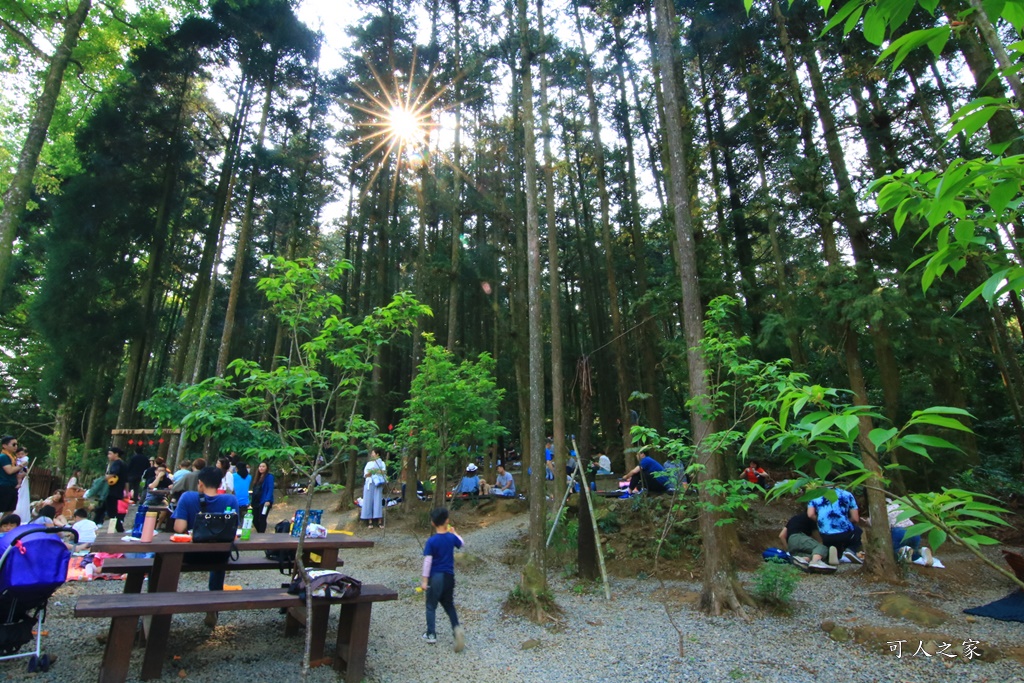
(721, 586)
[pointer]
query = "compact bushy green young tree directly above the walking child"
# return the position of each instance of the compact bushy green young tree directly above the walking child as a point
(453, 406)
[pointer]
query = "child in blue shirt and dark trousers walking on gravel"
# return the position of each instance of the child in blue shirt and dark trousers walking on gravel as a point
(439, 577)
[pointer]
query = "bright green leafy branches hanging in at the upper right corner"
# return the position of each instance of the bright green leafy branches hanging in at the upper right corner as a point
(960, 210)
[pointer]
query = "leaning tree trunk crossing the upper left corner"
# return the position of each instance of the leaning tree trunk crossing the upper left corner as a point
(17, 197)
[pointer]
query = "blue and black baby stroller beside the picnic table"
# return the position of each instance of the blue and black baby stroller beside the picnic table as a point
(33, 565)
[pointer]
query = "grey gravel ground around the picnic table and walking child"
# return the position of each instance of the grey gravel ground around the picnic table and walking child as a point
(631, 638)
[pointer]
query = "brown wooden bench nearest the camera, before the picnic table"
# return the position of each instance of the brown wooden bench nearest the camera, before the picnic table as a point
(125, 611)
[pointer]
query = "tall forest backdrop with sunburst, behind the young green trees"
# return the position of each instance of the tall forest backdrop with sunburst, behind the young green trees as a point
(566, 186)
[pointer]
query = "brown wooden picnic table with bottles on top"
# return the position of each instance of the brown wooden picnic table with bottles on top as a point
(167, 565)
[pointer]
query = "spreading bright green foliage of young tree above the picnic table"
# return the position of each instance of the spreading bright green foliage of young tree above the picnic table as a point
(305, 410)
